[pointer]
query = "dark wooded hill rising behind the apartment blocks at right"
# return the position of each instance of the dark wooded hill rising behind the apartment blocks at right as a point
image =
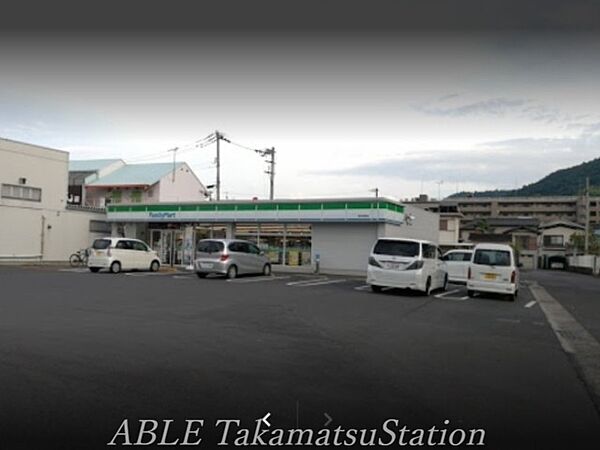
(570, 181)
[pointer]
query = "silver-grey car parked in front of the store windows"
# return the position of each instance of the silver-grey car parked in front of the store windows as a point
(230, 257)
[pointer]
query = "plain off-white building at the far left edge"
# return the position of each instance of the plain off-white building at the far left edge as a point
(35, 220)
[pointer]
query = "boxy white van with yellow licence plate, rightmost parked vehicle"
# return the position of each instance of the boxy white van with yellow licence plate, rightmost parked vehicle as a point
(493, 268)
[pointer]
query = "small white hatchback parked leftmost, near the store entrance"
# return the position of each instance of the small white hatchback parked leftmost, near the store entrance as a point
(117, 254)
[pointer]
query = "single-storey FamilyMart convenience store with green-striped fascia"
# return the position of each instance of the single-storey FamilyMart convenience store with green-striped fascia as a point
(338, 233)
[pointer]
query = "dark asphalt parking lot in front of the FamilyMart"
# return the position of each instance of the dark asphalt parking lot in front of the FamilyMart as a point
(79, 352)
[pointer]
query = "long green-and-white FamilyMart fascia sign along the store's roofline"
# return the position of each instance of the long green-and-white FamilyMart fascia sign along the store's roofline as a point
(262, 211)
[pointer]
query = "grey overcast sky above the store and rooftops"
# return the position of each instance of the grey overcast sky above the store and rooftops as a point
(414, 112)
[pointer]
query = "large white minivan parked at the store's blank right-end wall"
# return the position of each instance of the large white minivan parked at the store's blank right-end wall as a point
(406, 263)
